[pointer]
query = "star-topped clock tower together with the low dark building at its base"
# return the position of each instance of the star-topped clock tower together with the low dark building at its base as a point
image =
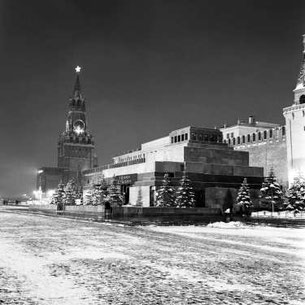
(75, 148)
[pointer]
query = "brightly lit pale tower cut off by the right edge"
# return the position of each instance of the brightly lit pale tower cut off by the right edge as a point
(295, 126)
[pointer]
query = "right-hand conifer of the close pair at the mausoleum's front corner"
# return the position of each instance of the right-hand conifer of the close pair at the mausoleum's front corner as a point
(185, 197)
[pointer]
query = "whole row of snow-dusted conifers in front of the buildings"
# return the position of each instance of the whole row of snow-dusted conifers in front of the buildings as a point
(272, 196)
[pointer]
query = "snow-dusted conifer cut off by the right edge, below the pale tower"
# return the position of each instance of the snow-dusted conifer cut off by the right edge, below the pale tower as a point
(296, 196)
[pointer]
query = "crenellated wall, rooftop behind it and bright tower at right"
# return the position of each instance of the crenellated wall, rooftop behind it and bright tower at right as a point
(281, 147)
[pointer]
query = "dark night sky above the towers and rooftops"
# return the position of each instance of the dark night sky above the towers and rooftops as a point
(149, 66)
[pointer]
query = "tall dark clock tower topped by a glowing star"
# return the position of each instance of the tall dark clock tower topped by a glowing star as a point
(76, 144)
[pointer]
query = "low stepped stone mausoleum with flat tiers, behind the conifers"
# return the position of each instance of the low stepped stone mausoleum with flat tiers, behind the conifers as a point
(215, 169)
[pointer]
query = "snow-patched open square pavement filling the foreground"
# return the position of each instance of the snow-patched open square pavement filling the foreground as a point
(47, 260)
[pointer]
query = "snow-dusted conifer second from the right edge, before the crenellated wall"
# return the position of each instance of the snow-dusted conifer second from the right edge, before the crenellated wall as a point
(271, 194)
